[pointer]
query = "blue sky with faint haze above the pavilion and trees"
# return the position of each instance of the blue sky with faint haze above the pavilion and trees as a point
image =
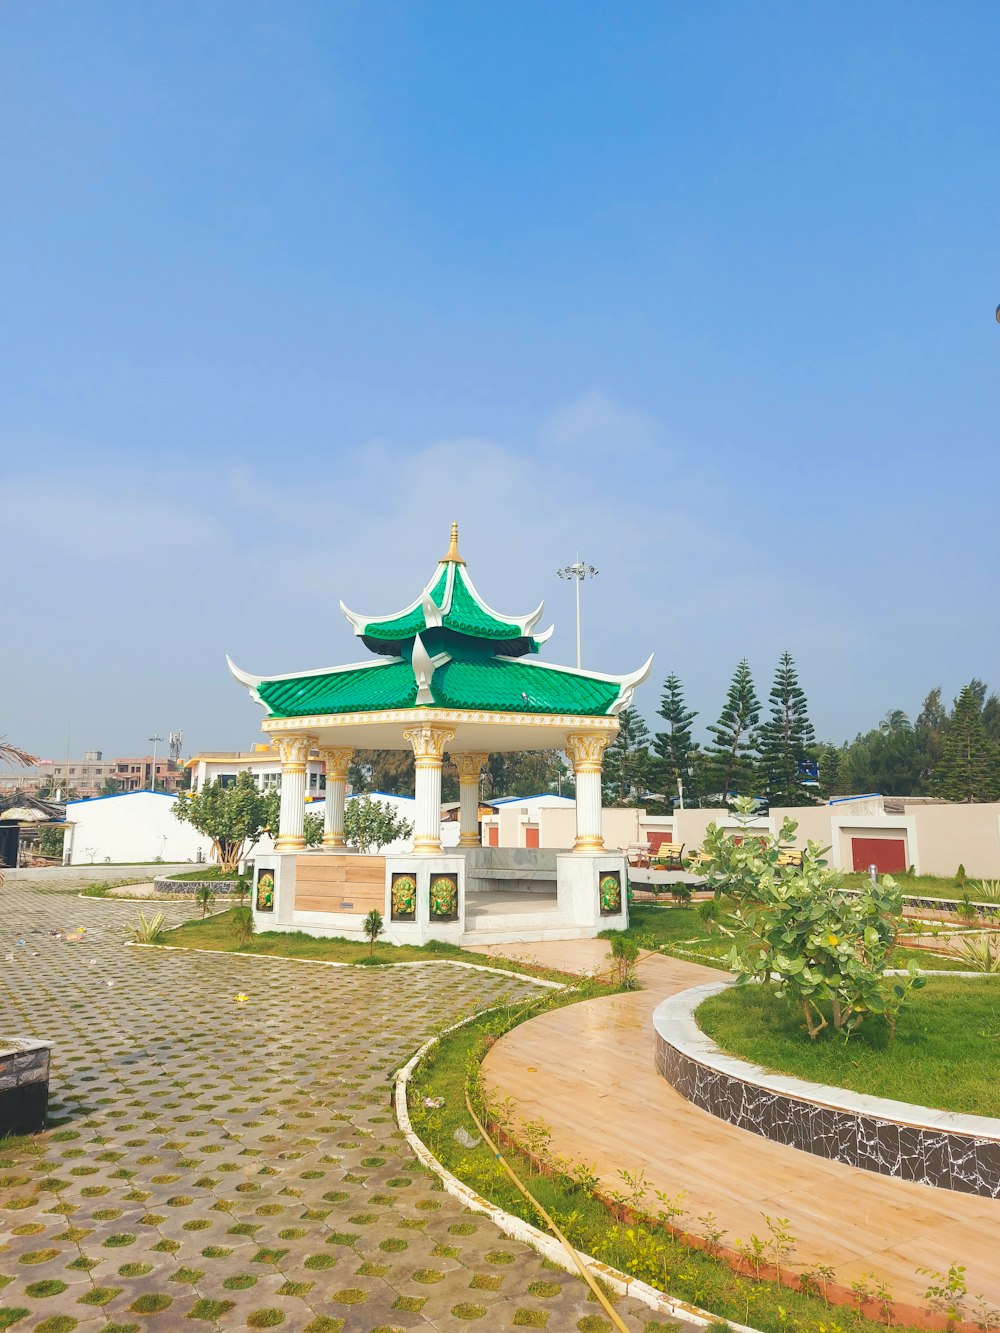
(705, 293)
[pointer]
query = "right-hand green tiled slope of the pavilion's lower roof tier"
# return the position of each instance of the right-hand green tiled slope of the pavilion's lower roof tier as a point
(502, 687)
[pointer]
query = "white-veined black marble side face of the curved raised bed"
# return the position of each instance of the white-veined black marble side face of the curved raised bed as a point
(933, 1156)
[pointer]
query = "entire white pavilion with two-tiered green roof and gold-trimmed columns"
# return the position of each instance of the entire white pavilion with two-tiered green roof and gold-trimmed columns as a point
(449, 675)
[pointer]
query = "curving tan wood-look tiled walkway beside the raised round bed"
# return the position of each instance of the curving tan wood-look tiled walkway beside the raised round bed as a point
(589, 1074)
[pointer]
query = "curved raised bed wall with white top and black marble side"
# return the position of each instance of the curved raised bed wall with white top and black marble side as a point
(913, 1143)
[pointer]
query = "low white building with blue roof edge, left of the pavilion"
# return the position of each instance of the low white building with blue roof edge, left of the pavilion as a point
(133, 827)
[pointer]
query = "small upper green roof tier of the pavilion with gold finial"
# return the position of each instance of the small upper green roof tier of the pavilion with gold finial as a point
(449, 602)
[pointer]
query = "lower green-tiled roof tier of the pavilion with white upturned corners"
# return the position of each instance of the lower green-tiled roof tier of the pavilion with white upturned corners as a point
(453, 680)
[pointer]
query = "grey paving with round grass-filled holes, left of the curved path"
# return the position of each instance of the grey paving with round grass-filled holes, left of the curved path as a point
(238, 1166)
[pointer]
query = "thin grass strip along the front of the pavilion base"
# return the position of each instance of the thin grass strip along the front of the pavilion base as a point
(215, 934)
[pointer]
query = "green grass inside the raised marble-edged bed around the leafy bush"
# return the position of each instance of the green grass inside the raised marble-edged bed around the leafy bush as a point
(946, 1054)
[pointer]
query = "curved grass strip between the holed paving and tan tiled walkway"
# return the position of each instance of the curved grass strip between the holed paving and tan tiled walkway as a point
(641, 1248)
